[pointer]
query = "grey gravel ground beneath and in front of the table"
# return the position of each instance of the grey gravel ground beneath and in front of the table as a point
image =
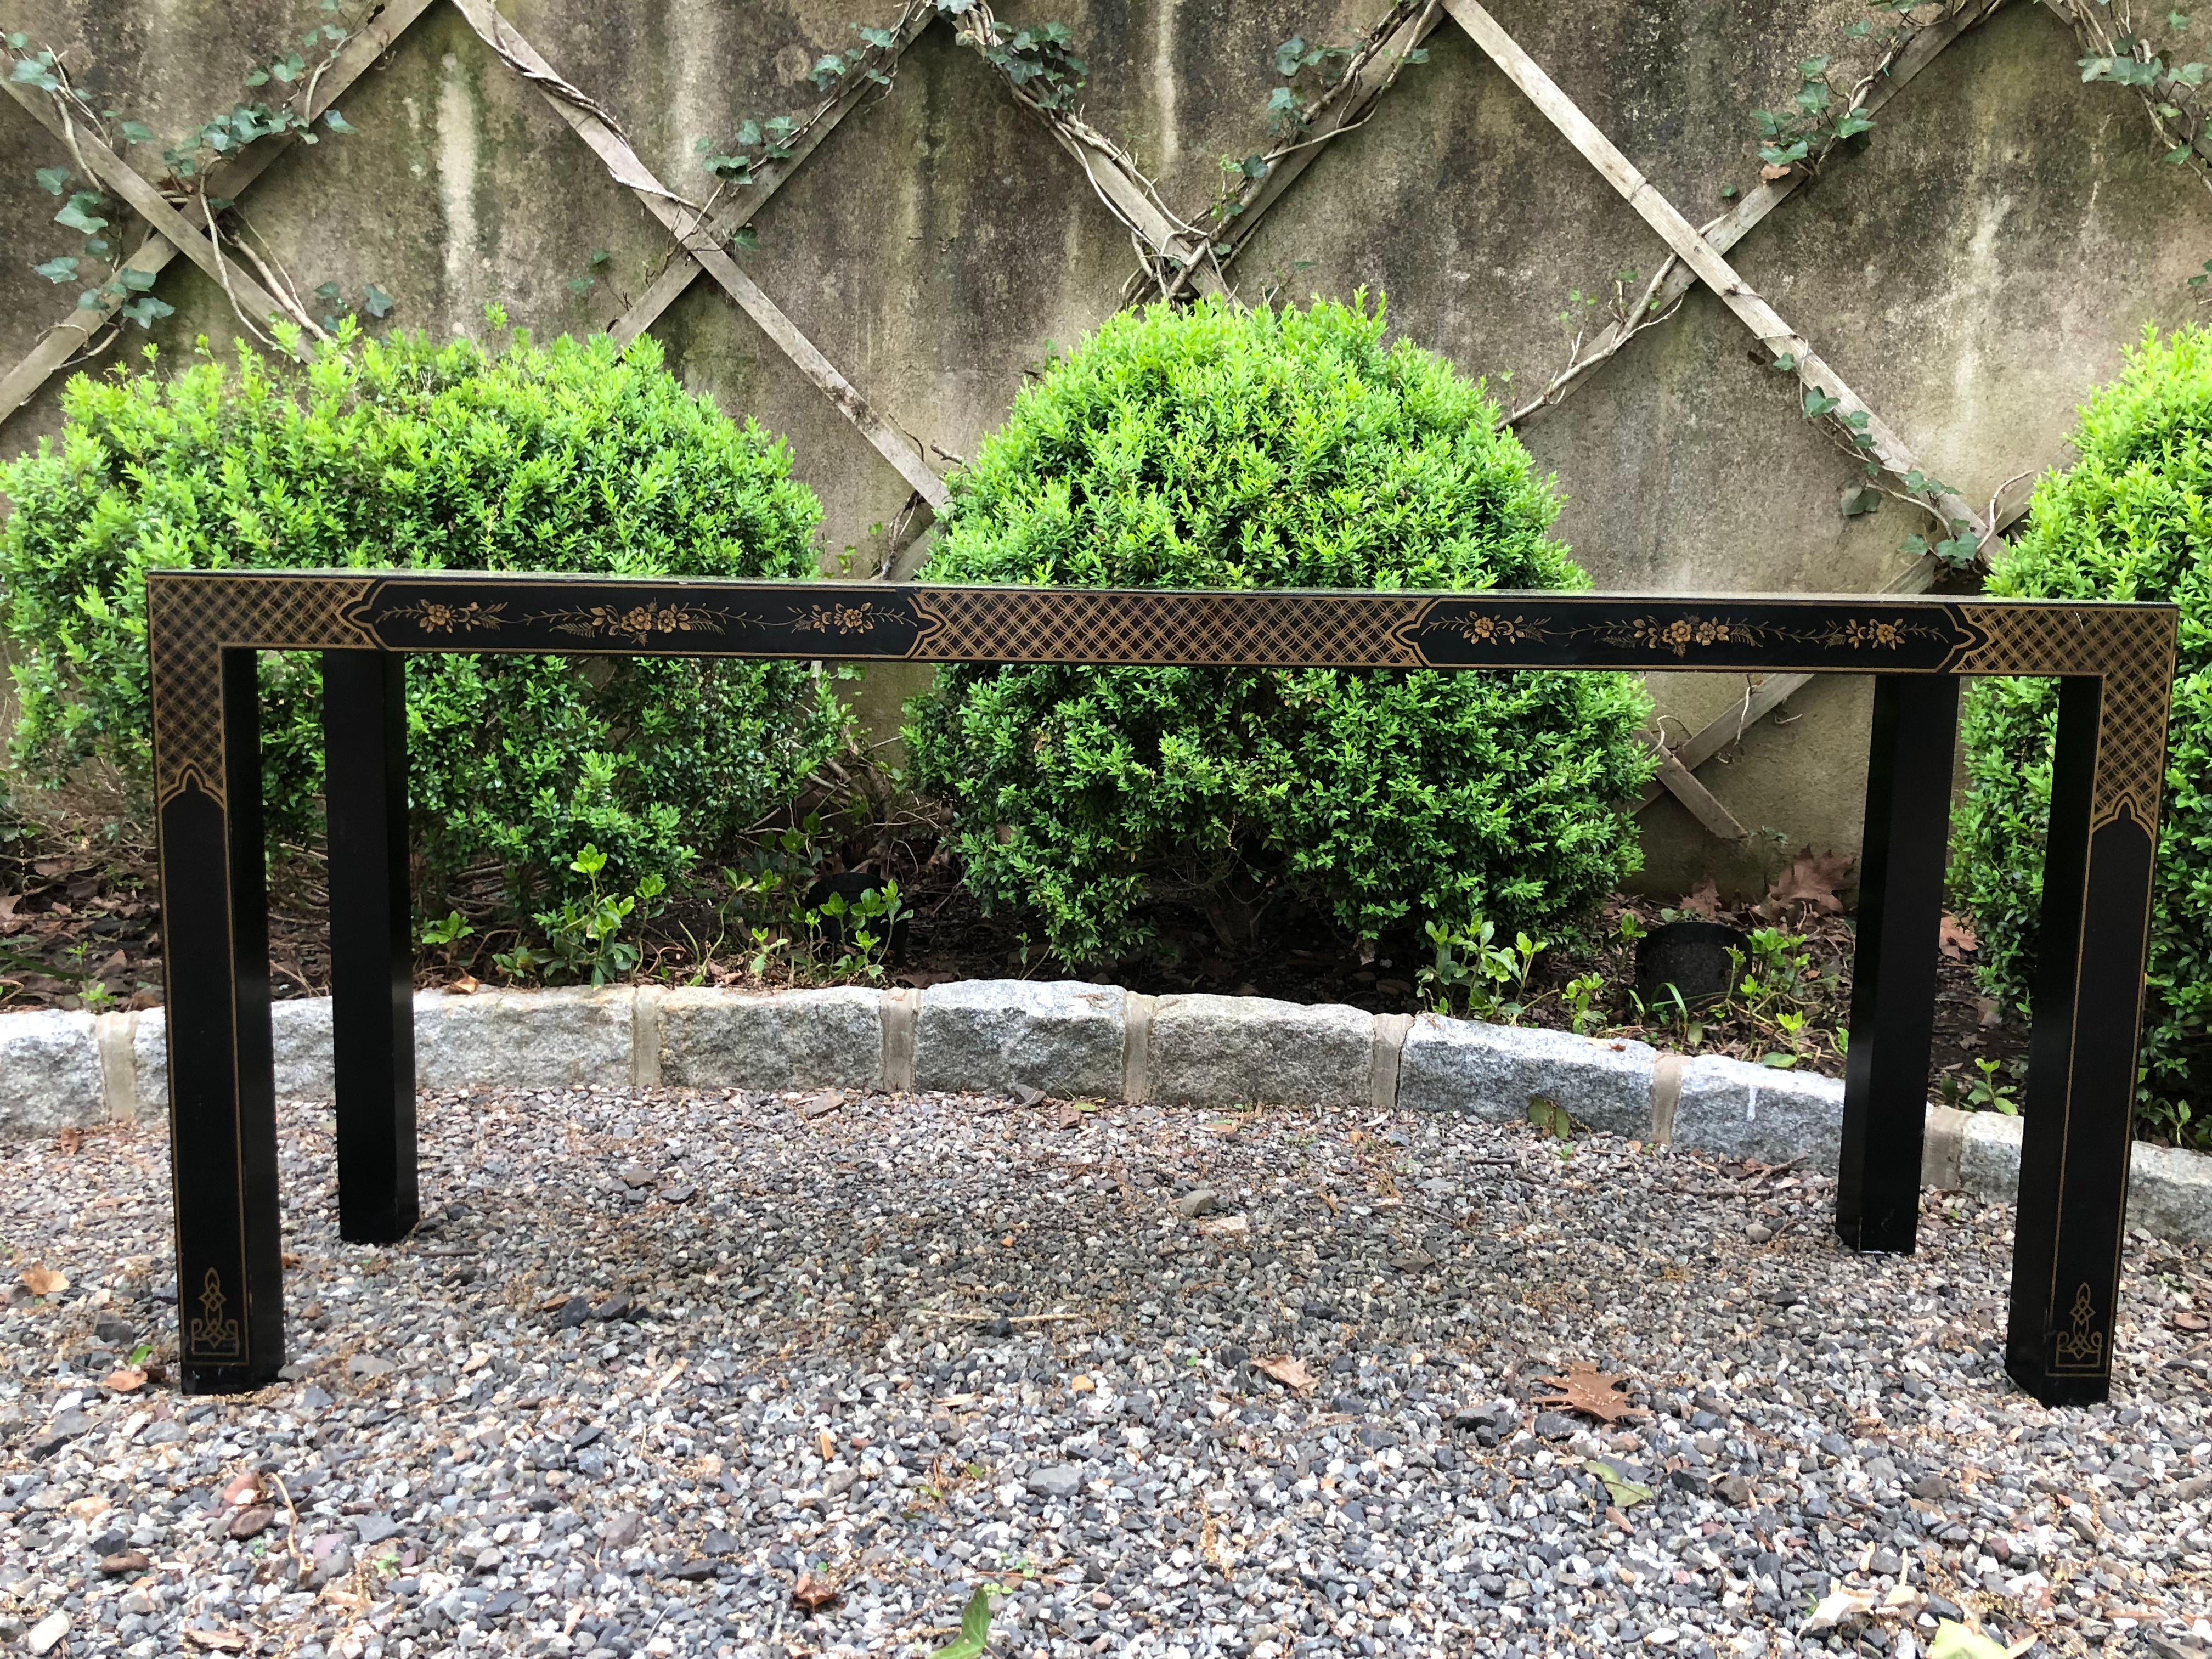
(654, 1357)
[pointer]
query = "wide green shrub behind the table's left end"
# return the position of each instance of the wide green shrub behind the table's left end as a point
(567, 457)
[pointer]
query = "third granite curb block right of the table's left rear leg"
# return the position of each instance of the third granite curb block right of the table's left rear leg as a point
(1003, 1034)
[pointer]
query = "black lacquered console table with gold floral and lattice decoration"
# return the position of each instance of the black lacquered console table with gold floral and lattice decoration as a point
(205, 627)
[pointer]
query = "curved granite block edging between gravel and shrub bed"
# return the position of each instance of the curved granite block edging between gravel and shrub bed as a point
(1067, 1039)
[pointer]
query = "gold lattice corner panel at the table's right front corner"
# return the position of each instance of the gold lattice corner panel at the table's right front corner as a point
(2133, 654)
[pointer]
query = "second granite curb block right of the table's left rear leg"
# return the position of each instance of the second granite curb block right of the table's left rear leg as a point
(826, 1039)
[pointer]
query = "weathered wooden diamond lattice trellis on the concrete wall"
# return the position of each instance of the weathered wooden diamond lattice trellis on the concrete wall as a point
(1178, 255)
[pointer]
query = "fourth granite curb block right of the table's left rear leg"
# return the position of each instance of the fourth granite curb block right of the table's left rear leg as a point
(1231, 1052)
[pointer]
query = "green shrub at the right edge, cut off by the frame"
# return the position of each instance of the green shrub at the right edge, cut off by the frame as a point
(2131, 521)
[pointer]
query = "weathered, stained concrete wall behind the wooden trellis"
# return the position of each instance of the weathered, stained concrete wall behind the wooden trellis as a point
(1972, 269)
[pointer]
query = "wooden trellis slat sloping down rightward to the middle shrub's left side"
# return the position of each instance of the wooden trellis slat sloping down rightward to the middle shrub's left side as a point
(680, 220)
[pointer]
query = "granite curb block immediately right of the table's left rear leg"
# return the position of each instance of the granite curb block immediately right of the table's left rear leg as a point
(510, 1036)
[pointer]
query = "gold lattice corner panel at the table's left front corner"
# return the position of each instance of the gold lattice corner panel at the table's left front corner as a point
(194, 618)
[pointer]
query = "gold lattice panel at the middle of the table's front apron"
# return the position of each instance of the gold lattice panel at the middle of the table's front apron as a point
(1167, 627)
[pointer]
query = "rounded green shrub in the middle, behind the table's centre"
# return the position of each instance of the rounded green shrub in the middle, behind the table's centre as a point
(1229, 448)
